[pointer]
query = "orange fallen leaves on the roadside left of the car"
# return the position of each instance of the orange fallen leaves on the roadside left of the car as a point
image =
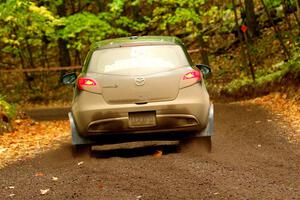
(30, 138)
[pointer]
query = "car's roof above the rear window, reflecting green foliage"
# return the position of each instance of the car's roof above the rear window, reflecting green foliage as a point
(151, 40)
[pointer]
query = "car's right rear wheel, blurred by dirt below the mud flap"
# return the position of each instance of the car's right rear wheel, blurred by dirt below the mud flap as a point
(197, 144)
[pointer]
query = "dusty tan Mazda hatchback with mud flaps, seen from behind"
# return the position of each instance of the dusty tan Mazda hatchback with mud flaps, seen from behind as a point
(139, 88)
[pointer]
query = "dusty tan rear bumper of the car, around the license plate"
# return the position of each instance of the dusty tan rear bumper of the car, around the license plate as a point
(186, 113)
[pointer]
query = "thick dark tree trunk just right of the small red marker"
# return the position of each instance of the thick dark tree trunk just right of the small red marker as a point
(251, 21)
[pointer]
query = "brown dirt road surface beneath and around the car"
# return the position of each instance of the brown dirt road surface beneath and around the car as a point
(251, 159)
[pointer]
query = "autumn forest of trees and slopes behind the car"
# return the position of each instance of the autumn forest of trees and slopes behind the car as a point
(252, 46)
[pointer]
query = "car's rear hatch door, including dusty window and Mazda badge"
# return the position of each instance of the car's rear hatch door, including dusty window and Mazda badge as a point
(139, 74)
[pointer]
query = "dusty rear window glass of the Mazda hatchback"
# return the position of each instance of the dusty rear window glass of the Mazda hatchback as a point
(137, 60)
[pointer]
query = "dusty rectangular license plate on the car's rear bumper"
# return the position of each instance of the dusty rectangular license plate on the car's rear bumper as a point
(142, 119)
